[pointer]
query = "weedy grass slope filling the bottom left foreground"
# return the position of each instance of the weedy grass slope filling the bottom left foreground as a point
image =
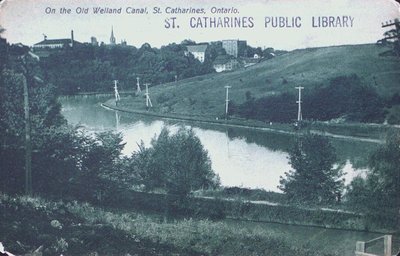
(183, 237)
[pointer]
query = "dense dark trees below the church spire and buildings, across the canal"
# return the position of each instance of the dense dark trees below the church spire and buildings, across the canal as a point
(89, 68)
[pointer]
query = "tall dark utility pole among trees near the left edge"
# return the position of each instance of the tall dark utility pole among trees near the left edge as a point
(28, 142)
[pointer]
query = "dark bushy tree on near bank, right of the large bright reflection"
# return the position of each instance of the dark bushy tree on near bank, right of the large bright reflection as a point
(314, 178)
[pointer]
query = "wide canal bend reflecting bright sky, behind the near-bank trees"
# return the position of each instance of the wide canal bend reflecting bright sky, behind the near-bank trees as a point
(241, 157)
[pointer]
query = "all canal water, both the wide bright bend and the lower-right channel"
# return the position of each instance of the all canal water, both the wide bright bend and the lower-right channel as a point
(241, 157)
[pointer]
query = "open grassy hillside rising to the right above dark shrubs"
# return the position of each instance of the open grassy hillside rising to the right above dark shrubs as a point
(307, 67)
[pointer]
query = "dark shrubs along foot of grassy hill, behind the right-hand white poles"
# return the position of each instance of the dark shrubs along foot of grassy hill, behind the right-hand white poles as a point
(345, 97)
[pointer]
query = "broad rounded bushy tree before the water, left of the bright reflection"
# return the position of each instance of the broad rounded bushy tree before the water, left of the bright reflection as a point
(178, 163)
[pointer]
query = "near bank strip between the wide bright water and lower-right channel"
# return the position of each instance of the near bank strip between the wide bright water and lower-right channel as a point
(219, 208)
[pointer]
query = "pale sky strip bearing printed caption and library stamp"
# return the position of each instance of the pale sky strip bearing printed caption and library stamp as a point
(26, 21)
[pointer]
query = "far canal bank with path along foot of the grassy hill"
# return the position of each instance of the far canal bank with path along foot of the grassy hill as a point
(372, 133)
